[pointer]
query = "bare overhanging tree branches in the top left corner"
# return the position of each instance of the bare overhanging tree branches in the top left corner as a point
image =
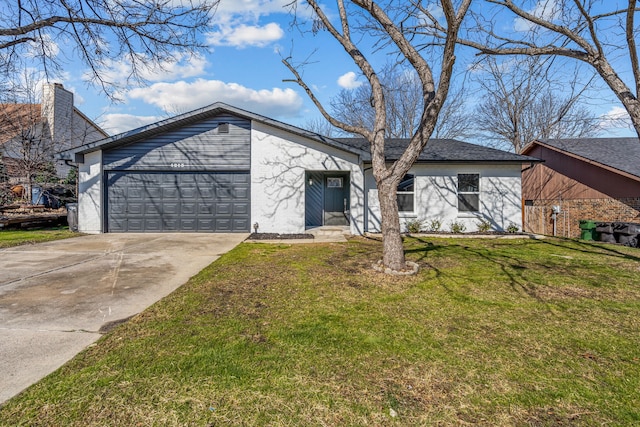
(100, 31)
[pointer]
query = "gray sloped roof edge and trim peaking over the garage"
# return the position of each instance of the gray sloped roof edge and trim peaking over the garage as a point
(193, 117)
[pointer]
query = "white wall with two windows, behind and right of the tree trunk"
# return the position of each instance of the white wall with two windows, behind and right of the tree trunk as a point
(436, 197)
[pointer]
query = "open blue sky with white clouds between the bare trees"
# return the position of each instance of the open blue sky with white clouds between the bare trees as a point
(243, 67)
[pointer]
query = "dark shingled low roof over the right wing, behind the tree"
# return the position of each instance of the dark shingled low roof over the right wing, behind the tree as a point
(443, 151)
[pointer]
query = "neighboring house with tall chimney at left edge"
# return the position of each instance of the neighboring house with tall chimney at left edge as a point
(30, 134)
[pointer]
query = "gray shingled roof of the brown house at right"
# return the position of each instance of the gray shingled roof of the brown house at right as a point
(621, 154)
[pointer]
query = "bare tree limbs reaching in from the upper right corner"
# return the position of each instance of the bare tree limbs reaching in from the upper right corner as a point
(600, 34)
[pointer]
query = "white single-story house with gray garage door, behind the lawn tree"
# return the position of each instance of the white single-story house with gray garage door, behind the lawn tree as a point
(223, 169)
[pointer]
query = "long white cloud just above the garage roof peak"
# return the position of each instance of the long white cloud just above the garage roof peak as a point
(182, 96)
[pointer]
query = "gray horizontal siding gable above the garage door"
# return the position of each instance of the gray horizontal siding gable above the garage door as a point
(195, 146)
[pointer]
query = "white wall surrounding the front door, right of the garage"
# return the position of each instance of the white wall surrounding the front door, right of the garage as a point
(278, 164)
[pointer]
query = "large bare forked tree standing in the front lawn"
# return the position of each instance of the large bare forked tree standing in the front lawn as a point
(388, 24)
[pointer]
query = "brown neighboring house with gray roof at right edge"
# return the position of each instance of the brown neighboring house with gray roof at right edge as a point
(592, 179)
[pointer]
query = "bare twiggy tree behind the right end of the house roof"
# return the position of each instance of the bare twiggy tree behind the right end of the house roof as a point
(522, 101)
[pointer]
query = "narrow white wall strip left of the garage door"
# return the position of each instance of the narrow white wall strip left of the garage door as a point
(90, 193)
